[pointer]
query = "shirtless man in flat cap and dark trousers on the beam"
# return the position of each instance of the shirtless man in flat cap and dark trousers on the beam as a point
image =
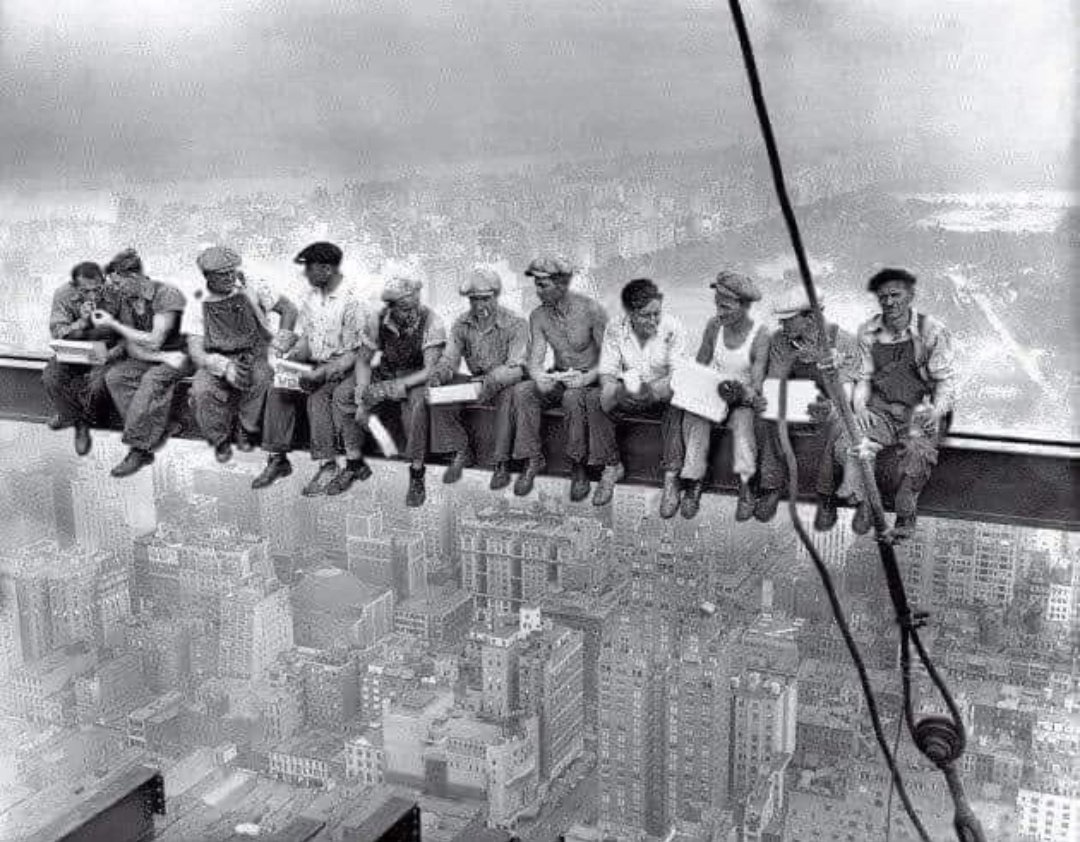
(573, 327)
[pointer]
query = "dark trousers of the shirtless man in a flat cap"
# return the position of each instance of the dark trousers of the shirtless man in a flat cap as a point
(584, 422)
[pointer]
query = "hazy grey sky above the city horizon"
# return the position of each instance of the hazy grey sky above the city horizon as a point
(159, 89)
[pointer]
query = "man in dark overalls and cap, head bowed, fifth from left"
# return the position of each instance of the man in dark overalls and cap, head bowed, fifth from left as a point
(410, 338)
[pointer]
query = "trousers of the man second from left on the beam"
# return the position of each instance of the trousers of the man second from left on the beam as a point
(143, 392)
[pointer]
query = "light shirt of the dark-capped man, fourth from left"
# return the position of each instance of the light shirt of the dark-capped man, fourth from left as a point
(336, 323)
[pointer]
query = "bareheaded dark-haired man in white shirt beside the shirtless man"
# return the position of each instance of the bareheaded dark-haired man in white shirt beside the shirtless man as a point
(637, 363)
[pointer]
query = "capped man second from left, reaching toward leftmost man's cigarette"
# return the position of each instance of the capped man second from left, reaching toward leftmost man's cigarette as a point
(144, 382)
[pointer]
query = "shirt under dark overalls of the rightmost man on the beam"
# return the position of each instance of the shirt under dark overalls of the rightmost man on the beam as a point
(934, 352)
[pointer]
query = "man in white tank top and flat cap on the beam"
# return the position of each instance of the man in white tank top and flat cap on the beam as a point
(737, 347)
